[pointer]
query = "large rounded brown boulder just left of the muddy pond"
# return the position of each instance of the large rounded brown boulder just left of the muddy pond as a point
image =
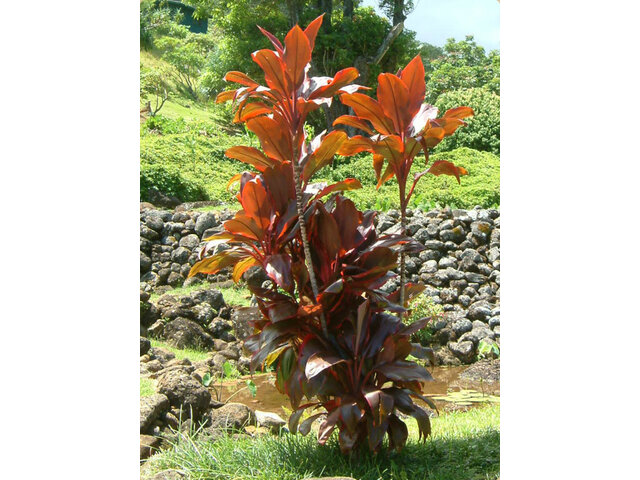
(185, 392)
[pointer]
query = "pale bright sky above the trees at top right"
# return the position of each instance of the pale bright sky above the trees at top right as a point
(436, 20)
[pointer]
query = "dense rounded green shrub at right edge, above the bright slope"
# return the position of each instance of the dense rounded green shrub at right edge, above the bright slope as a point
(483, 131)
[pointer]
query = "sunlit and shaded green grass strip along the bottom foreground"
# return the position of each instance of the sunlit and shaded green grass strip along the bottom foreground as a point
(464, 446)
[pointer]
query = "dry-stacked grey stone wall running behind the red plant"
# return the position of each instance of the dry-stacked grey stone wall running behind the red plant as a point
(460, 266)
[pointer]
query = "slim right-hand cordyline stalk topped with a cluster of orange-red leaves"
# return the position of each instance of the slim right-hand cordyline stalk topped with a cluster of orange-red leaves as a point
(405, 126)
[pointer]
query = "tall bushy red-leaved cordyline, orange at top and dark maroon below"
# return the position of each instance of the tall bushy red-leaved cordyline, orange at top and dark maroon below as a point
(323, 324)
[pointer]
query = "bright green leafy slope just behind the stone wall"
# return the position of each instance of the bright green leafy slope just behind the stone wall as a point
(198, 153)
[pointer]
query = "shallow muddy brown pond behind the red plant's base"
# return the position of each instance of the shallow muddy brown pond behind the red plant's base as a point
(448, 390)
